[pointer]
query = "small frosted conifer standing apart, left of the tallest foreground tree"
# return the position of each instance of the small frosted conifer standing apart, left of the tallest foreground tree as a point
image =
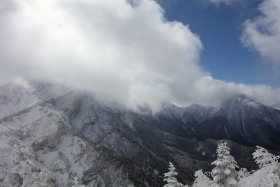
(170, 177)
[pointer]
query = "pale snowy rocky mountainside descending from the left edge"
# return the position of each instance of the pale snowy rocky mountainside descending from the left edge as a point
(38, 147)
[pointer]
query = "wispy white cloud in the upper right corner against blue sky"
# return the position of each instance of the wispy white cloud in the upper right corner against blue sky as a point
(263, 32)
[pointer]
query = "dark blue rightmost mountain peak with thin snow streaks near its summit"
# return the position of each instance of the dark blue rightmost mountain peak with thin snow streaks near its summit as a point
(244, 120)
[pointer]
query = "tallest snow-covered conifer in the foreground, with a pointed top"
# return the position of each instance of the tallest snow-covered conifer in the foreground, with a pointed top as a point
(224, 173)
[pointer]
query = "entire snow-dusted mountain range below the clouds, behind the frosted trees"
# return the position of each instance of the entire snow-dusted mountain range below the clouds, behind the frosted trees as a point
(52, 131)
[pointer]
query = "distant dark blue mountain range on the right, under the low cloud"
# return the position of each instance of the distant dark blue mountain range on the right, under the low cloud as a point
(239, 119)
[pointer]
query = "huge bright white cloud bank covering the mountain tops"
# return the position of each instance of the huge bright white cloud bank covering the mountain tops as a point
(120, 50)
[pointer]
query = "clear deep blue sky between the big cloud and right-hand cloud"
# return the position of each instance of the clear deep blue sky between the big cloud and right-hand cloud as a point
(220, 28)
